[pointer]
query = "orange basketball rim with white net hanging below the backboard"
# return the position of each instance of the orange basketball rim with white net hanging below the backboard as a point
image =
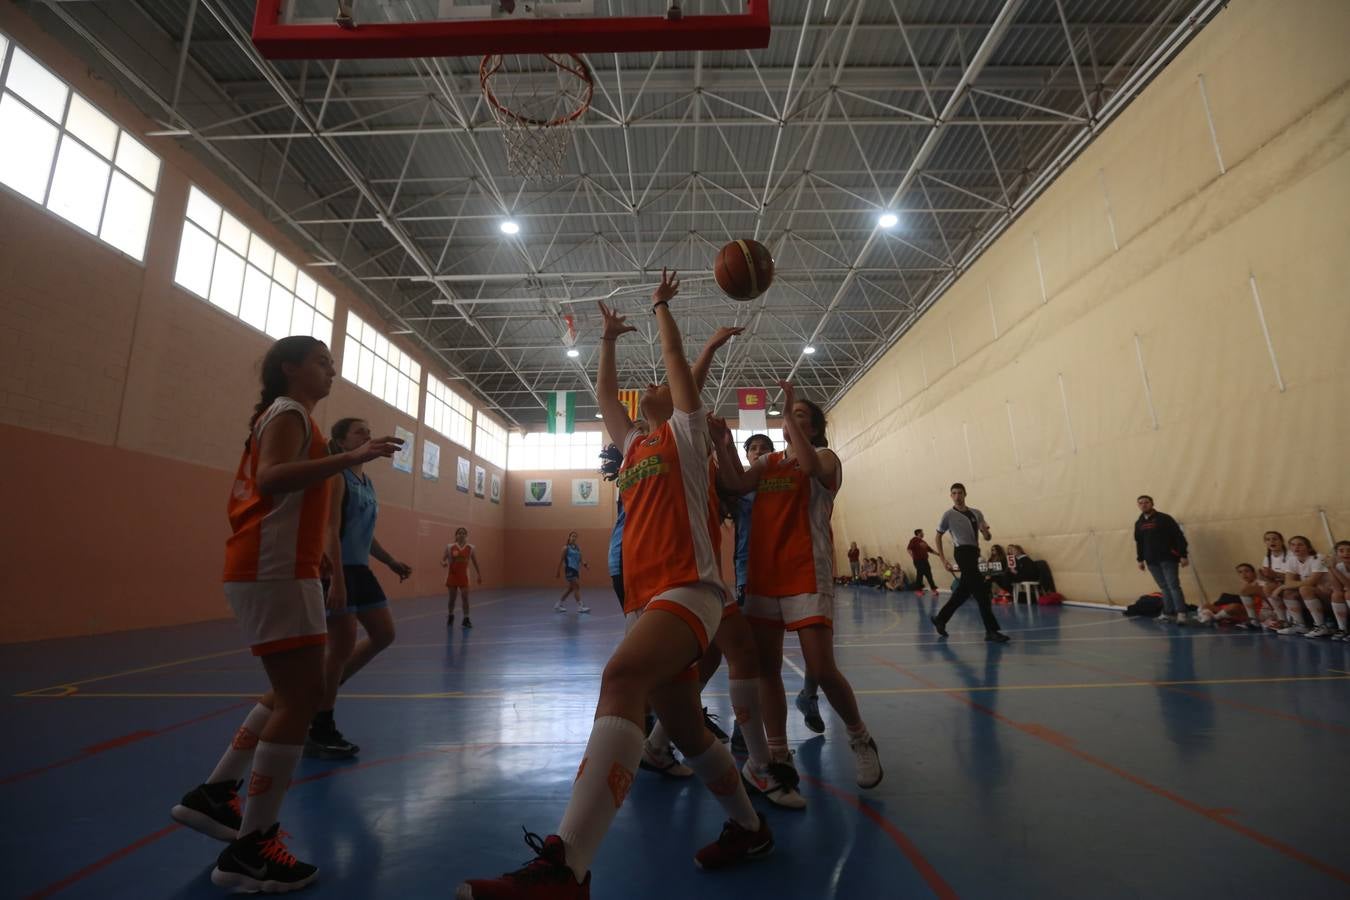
(537, 99)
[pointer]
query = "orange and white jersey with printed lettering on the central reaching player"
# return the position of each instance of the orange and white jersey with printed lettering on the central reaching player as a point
(672, 530)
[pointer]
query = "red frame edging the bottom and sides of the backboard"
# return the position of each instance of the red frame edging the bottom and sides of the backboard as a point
(626, 34)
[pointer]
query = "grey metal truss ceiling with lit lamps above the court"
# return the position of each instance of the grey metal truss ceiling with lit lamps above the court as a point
(394, 172)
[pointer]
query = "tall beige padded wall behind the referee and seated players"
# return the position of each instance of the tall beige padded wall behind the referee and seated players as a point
(1150, 253)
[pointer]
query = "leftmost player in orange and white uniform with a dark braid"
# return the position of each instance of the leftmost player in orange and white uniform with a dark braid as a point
(283, 524)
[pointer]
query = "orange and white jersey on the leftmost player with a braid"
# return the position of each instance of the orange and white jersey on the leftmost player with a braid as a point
(277, 536)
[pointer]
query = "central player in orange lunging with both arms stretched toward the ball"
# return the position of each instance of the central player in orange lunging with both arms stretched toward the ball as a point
(674, 598)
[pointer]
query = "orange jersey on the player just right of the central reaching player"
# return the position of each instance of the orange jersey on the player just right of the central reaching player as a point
(792, 542)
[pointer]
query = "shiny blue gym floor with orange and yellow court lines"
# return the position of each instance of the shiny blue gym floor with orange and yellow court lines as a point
(1096, 756)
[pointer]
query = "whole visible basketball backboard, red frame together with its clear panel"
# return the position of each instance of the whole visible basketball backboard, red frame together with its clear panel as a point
(385, 29)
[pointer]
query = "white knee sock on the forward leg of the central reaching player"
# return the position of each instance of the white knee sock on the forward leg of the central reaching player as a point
(603, 782)
